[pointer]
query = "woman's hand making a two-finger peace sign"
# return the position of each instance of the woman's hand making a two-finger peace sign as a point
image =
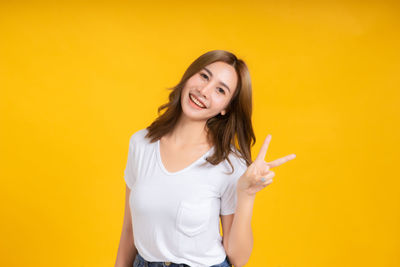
(257, 176)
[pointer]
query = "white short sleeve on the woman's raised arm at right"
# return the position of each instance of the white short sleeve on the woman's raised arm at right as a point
(228, 196)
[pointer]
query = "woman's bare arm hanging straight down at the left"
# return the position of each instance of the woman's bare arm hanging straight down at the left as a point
(126, 250)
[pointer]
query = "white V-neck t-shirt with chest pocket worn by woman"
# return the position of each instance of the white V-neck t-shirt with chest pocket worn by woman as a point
(175, 215)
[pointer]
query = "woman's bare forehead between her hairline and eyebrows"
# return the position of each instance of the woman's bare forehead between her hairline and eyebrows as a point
(224, 72)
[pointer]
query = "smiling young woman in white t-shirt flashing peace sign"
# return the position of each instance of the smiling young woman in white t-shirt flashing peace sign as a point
(192, 167)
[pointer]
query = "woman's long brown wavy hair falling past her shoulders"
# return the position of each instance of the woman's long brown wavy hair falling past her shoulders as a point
(234, 129)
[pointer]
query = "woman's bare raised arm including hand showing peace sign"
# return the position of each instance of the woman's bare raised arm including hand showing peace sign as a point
(256, 177)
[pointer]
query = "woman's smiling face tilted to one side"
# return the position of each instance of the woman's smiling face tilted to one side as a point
(211, 90)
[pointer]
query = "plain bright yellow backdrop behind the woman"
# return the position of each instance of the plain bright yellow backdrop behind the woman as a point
(77, 79)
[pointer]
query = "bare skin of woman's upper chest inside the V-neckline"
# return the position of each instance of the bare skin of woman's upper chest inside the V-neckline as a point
(177, 158)
